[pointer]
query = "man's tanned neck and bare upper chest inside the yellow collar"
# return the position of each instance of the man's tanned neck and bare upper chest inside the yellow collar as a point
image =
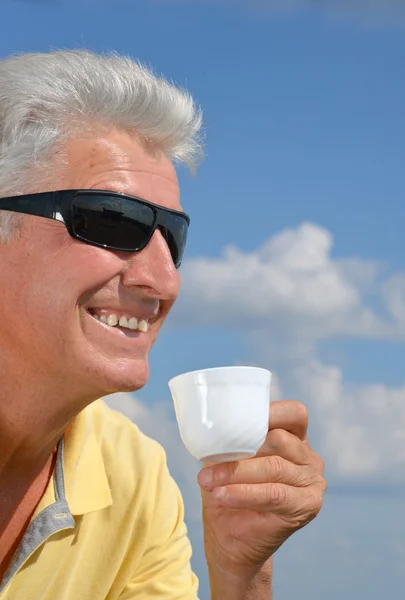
(35, 411)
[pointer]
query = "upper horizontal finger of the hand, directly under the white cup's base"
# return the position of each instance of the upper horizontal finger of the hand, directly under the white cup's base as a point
(273, 469)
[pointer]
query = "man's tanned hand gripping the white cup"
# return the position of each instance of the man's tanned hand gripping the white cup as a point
(251, 507)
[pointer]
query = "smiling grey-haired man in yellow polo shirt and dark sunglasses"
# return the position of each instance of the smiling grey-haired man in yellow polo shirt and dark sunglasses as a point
(92, 235)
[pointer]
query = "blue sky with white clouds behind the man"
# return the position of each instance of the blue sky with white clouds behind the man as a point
(296, 256)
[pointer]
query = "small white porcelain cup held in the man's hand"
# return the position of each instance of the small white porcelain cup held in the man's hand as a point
(222, 413)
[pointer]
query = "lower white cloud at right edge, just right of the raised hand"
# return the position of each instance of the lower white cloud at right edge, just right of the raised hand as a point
(358, 429)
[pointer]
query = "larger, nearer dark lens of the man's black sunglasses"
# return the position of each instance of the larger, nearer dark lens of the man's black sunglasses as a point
(111, 221)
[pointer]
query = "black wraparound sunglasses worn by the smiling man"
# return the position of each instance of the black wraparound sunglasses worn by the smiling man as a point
(107, 219)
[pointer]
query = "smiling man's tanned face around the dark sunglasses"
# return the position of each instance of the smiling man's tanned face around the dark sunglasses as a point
(54, 285)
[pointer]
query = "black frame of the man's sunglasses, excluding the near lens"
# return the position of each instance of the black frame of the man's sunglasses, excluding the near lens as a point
(57, 205)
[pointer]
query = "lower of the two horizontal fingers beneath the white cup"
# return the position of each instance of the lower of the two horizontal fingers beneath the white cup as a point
(277, 498)
